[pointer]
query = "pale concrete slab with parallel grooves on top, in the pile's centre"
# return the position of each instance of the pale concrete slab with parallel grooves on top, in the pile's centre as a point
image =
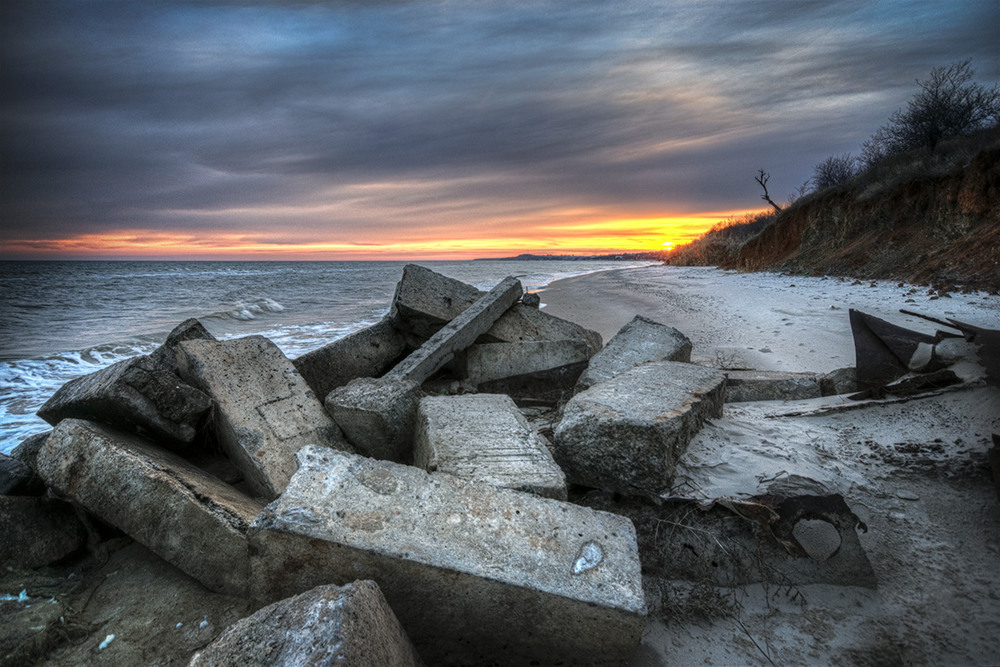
(485, 438)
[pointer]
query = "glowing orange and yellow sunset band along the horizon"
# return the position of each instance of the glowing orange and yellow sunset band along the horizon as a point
(587, 234)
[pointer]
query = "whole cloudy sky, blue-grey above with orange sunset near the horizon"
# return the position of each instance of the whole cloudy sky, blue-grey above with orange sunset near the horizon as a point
(183, 129)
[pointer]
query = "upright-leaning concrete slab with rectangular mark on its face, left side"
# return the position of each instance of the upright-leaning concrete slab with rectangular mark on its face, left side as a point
(265, 411)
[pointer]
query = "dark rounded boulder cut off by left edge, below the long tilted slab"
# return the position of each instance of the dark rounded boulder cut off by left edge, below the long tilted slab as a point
(36, 531)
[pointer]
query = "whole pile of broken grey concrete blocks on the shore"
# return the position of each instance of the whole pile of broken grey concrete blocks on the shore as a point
(388, 496)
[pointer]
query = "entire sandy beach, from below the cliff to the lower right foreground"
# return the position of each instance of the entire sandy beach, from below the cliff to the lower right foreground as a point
(915, 472)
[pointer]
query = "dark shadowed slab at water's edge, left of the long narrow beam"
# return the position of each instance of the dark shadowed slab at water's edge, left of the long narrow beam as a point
(366, 353)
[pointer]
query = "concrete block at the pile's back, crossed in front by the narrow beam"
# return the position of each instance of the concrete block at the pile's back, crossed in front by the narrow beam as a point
(425, 301)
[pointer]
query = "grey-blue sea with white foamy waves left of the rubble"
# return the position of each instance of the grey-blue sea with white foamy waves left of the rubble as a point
(63, 319)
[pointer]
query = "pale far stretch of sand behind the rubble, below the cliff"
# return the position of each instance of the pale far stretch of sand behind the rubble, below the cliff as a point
(767, 321)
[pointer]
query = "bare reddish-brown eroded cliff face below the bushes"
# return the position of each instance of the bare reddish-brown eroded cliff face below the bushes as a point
(940, 229)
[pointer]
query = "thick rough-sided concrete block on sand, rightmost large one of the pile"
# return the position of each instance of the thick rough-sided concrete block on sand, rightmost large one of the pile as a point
(627, 433)
